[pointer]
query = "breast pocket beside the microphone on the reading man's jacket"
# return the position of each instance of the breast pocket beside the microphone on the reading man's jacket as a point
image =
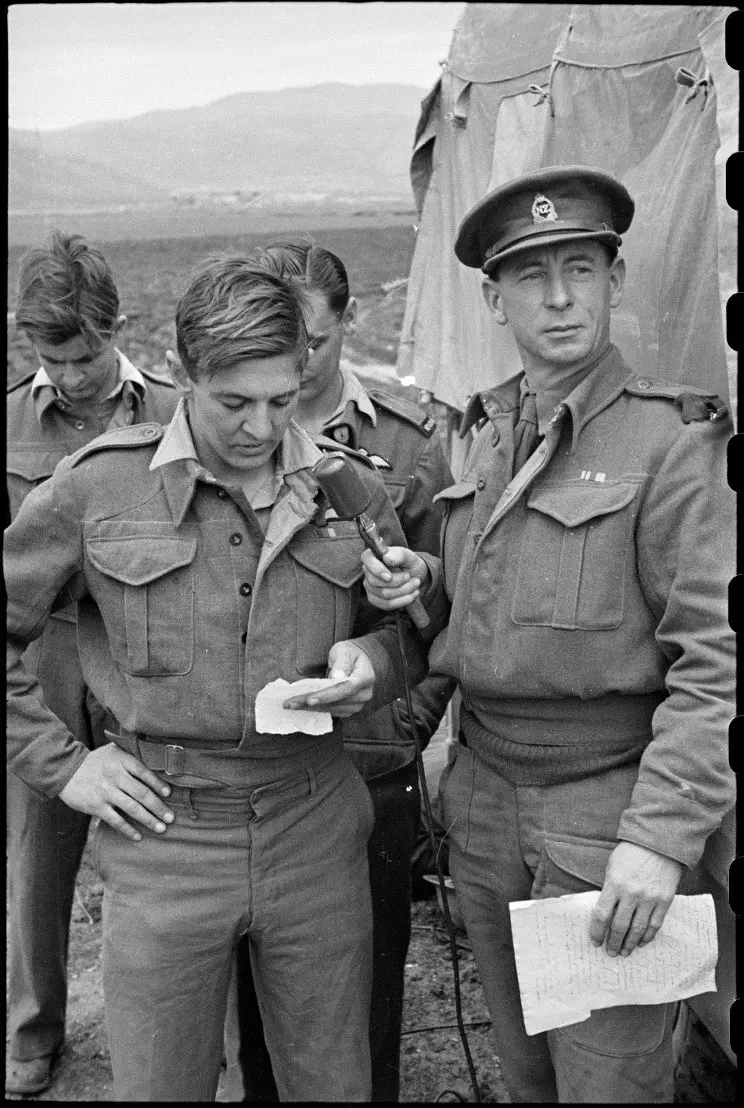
(328, 566)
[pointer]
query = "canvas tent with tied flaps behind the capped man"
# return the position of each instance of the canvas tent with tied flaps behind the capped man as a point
(644, 93)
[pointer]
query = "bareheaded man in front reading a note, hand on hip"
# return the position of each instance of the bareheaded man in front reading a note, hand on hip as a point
(207, 565)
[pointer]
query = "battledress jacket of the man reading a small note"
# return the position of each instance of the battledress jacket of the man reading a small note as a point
(186, 609)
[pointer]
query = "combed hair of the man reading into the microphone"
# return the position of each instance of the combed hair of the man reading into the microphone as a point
(233, 311)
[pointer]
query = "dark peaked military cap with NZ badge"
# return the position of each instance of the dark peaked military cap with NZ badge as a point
(556, 204)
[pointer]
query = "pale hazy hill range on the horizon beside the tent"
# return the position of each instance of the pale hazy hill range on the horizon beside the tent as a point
(328, 140)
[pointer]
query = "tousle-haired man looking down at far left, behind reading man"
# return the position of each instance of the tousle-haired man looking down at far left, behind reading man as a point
(68, 306)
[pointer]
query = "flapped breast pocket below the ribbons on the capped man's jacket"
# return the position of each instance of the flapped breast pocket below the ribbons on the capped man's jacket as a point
(575, 556)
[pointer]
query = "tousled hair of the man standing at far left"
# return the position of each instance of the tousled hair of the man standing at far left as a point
(66, 290)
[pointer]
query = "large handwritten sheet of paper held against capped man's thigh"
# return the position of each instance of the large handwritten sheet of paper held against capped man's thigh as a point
(563, 976)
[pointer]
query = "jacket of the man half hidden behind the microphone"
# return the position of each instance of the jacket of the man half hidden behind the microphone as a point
(404, 446)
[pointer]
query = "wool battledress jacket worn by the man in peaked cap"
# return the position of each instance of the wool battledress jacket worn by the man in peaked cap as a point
(587, 599)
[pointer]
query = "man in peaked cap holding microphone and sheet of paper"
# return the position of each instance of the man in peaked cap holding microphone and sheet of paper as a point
(582, 606)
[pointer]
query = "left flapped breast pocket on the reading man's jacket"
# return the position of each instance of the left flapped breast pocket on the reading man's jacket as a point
(145, 589)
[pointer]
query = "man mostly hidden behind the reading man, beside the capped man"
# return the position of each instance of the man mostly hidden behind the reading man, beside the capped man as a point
(403, 444)
